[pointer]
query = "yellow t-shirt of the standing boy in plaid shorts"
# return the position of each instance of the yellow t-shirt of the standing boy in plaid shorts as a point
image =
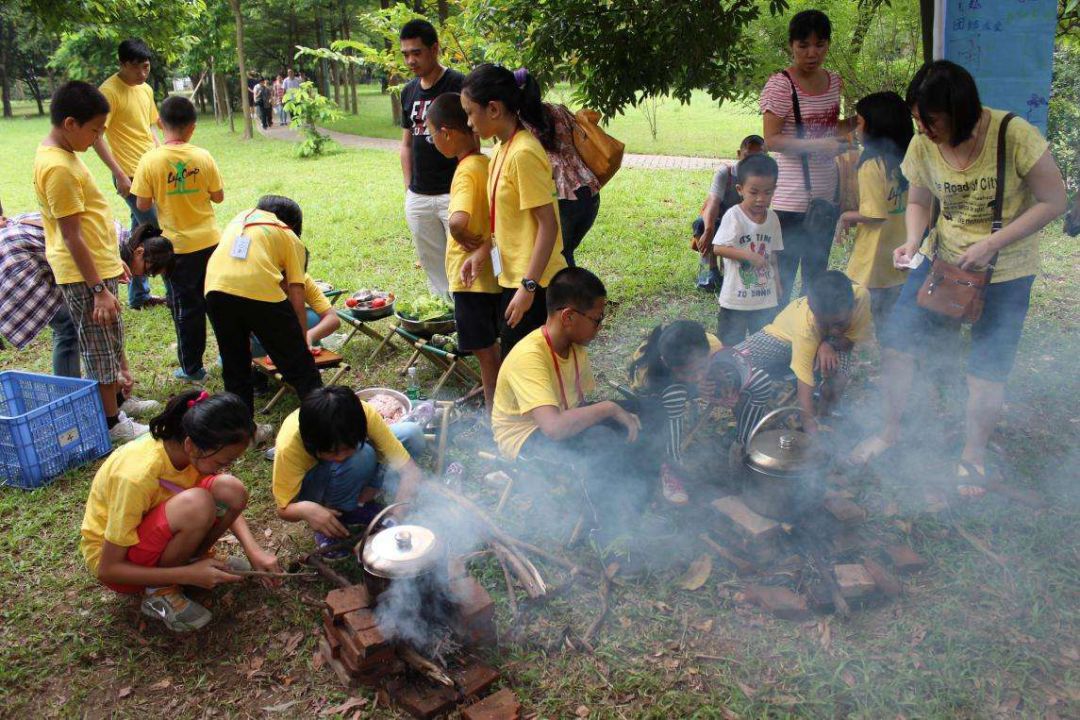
(65, 187)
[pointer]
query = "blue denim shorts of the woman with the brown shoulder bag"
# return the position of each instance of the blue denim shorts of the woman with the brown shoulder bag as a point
(995, 338)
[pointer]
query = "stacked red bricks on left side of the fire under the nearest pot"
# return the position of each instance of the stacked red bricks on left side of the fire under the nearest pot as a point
(353, 645)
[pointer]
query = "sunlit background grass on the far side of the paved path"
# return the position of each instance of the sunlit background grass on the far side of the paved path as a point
(700, 129)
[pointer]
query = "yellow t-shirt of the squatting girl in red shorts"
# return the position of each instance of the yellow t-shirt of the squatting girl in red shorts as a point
(125, 491)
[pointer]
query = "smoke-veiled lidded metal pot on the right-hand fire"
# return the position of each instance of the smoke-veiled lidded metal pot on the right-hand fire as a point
(784, 470)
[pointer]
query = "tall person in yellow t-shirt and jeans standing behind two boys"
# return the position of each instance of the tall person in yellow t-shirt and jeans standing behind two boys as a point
(129, 135)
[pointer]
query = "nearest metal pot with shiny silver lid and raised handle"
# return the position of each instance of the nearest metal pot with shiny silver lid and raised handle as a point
(397, 552)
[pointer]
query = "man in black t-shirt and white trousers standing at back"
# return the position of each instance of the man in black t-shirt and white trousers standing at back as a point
(427, 172)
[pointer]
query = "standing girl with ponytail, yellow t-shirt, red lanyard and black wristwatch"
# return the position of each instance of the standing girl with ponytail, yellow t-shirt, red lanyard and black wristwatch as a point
(526, 240)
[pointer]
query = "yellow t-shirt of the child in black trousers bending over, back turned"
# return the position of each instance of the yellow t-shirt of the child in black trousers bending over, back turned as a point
(255, 273)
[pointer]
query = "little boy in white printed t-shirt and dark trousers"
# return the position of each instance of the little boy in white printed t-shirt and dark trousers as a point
(749, 239)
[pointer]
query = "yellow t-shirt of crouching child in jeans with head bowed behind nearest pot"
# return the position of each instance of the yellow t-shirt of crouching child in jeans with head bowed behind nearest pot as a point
(292, 461)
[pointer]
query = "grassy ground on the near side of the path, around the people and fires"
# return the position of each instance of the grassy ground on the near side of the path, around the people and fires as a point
(969, 640)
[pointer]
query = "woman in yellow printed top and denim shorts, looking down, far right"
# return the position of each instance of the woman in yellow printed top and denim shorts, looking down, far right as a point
(954, 161)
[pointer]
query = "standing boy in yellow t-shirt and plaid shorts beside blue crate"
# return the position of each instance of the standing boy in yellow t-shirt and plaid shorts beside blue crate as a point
(82, 244)
